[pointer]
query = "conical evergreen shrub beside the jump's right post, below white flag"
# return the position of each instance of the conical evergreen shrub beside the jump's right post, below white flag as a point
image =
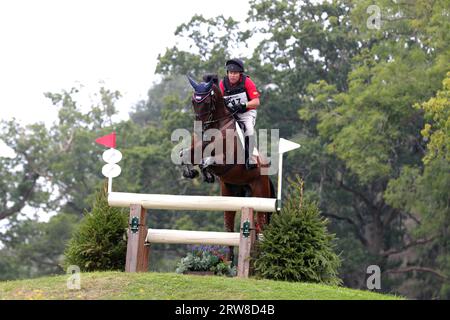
(297, 245)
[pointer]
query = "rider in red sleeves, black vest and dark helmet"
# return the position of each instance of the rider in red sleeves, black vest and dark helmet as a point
(241, 96)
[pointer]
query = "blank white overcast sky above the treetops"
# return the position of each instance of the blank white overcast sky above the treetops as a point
(50, 45)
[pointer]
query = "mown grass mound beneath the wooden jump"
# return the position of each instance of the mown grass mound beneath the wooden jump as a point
(171, 286)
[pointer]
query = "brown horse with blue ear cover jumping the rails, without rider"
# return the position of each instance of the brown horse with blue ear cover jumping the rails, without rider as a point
(235, 180)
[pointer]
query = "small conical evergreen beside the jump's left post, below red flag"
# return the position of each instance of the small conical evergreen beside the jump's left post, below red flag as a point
(99, 243)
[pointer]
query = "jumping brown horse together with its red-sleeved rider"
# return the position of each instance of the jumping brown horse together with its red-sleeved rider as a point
(208, 102)
